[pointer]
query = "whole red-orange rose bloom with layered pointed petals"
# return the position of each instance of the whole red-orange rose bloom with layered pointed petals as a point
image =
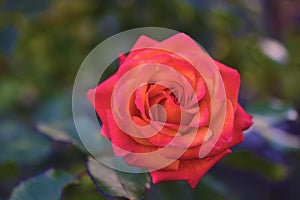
(170, 108)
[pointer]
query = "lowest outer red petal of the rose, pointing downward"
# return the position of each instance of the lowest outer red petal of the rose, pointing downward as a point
(190, 170)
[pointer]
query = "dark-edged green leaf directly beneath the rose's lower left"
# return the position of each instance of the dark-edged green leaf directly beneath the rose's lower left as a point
(118, 184)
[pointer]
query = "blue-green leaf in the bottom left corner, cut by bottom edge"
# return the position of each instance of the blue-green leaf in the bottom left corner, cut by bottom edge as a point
(46, 186)
